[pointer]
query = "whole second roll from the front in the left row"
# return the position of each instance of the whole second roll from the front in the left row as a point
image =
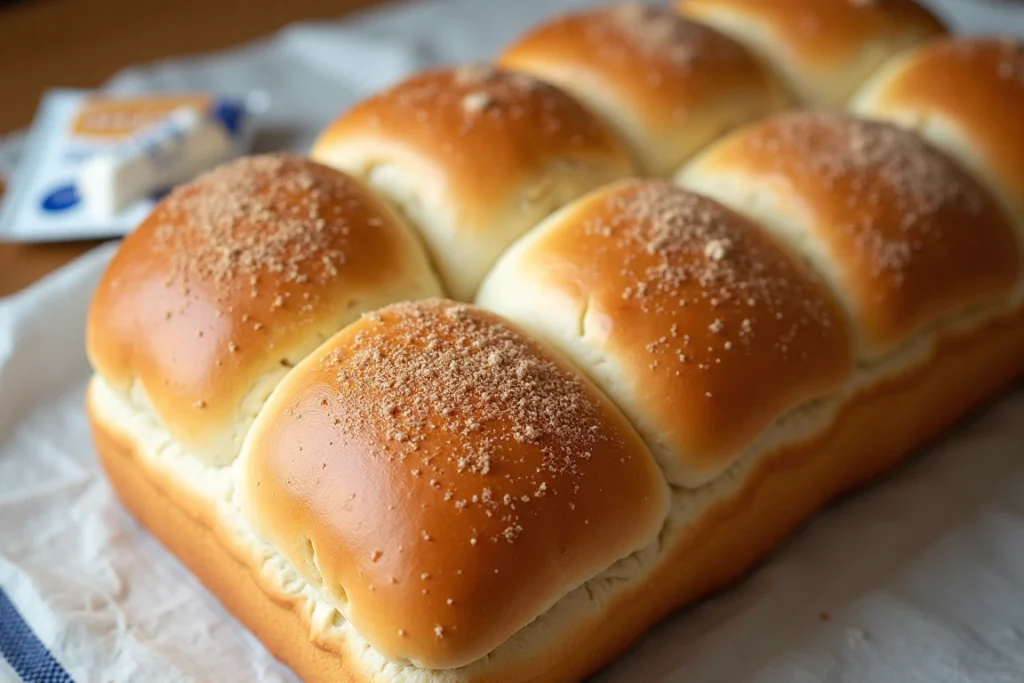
(474, 157)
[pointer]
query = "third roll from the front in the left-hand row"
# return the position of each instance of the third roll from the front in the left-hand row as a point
(669, 87)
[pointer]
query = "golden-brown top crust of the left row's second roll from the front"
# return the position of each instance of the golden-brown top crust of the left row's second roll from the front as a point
(488, 131)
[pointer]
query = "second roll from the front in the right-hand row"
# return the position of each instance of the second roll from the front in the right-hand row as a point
(691, 317)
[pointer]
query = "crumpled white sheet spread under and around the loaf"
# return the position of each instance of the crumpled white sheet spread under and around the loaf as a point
(922, 576)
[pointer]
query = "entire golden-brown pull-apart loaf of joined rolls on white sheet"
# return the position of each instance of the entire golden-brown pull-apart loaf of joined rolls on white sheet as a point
(485, 403)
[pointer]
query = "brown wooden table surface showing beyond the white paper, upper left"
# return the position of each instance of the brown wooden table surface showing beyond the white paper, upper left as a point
(81, 44)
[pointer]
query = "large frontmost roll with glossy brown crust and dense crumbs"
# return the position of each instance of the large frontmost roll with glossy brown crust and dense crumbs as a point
(446, 480)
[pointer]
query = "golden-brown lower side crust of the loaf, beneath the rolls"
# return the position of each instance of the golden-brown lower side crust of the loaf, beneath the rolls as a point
(874, 430)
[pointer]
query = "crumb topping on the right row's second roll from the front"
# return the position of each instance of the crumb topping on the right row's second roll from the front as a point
(680, 250)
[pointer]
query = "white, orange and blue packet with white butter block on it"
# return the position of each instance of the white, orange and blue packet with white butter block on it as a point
(94, 165)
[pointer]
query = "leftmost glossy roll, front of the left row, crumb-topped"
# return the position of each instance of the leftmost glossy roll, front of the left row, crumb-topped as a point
(234, 279)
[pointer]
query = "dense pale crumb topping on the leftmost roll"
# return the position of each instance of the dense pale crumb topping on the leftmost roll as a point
(258, 216)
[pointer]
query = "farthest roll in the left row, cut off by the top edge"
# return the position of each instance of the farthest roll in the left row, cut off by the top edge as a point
(823, 50)
